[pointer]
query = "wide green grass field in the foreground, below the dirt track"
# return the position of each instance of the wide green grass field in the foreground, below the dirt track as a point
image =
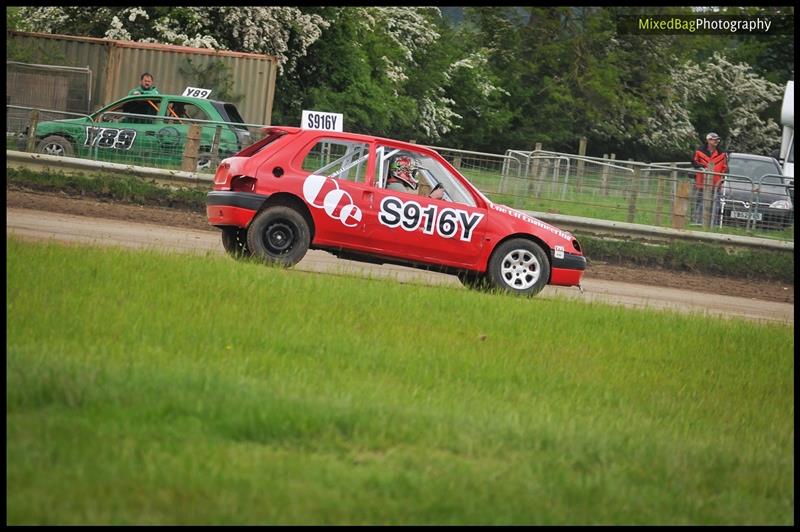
(148, 388)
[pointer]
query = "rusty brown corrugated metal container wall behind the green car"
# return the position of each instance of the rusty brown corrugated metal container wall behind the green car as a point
(117, 65)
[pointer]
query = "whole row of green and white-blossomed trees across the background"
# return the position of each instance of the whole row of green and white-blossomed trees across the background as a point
(502, 78)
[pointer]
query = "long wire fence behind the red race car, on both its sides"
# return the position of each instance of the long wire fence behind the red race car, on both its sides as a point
(671, 194)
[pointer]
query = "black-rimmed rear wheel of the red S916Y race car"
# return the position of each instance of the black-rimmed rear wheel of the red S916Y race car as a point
(279, 235)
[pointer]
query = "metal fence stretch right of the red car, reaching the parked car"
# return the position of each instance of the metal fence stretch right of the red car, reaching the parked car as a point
(659, 194)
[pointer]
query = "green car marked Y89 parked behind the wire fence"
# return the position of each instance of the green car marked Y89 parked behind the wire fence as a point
(147, 131)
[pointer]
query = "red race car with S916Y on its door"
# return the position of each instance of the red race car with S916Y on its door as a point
(378, 200)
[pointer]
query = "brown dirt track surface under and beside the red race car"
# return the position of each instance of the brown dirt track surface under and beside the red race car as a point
(42, 216)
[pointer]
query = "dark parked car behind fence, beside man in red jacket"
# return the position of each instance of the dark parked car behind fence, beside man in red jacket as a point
(755, 193)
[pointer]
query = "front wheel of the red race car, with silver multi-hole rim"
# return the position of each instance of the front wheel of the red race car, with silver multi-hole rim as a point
(520, 267)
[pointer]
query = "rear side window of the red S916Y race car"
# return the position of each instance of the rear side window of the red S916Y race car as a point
(337, 158)
